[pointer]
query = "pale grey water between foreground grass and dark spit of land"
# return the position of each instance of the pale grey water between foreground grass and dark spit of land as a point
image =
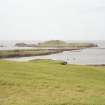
(84, 56)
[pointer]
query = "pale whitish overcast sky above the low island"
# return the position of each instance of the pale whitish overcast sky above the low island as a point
(52, 19)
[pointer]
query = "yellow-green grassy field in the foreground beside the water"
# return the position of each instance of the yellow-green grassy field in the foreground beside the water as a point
(50, 83)
